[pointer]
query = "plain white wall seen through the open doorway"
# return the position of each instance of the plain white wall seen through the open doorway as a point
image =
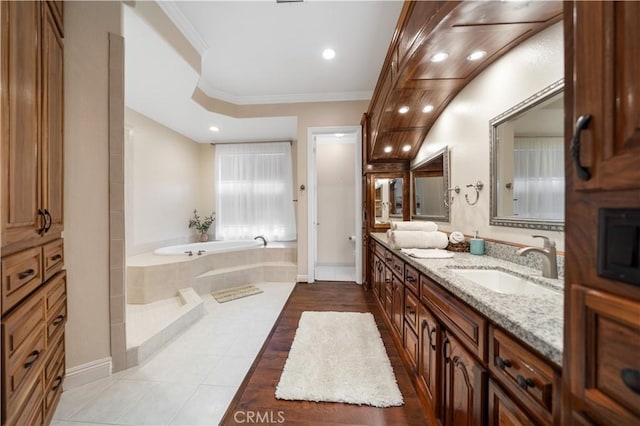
(336, 205)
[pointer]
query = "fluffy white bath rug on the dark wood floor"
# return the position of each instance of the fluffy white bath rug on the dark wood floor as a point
(339, 357)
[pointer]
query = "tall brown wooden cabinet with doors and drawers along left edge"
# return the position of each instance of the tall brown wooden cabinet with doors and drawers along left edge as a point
(33, 293)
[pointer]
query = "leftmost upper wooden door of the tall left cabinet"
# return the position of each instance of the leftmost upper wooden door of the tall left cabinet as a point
(20, 115)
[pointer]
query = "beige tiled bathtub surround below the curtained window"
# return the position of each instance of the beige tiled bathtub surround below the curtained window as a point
(151, 278)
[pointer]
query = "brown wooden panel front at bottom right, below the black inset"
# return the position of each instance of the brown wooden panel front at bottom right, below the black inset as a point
(611, 326)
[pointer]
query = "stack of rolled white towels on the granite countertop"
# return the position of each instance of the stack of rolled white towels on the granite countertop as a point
(416, 234)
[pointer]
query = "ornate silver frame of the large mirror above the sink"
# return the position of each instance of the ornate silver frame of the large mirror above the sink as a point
(494, 219)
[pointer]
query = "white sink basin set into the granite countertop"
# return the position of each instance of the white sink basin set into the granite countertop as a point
(503, 282)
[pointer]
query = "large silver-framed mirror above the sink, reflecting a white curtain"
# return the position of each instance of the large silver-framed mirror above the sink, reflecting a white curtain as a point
(527, 163)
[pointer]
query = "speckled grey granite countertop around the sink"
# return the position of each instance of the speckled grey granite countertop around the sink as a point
(536, 319)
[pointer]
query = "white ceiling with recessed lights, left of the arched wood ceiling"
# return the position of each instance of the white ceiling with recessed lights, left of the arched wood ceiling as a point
(255, 52)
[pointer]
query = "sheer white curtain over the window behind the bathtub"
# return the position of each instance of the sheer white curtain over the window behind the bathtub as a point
(254, 191)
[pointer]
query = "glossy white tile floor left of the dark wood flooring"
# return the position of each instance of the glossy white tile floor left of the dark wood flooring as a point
(193, 379)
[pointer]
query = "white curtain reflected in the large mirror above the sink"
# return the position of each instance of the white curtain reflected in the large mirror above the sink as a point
(538, 181)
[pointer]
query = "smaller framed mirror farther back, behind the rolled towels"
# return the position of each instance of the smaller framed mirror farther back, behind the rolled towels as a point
(430, 183)
